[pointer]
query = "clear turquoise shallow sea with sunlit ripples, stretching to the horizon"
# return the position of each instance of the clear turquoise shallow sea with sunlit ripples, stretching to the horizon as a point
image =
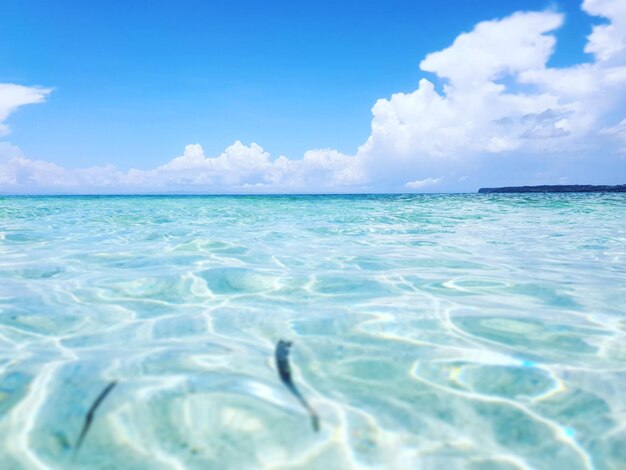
(457, 331)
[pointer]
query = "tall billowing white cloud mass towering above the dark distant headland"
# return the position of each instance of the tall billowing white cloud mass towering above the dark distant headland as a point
(501, 109)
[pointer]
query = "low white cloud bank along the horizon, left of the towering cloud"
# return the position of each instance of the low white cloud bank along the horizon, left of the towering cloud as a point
(238, 169)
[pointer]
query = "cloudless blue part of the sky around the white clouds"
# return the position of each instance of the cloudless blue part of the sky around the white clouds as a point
(132, 83)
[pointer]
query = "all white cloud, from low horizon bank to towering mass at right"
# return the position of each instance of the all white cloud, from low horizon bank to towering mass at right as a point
(494, 109)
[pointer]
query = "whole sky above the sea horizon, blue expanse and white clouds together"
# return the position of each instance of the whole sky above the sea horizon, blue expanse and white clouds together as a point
(310, 97)
